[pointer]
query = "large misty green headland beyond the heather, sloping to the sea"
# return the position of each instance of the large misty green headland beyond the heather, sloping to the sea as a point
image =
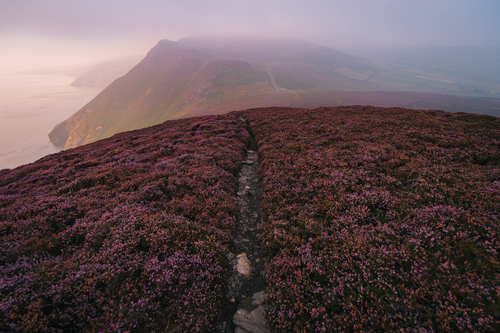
(196, 76)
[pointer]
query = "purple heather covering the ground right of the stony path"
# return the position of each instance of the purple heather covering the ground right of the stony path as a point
(380, 219)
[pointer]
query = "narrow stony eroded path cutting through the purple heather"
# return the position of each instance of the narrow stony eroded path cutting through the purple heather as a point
(246, 289)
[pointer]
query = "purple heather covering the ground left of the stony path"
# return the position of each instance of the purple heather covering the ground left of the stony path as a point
(128, 234)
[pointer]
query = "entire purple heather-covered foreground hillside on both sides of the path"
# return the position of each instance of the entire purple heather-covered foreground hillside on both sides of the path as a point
(374, 219)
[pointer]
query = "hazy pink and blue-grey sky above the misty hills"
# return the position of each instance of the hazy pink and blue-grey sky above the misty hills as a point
(37, 33)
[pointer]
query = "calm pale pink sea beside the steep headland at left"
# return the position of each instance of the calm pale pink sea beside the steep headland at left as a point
(30, 107)
